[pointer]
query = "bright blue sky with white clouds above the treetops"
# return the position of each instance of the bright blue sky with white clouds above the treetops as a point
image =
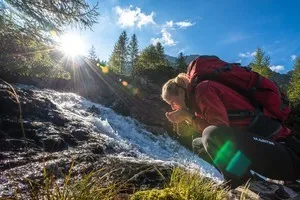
(229, 29)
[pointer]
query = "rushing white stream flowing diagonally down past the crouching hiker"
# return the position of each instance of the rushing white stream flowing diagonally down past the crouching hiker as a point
(126, 134)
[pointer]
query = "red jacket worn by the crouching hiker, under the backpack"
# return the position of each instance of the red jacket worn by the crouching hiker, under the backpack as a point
(211, 102)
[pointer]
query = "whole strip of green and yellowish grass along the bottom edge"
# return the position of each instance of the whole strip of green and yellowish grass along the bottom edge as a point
(182, 185)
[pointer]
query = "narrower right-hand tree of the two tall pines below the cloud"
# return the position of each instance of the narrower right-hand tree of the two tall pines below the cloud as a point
(133, 51)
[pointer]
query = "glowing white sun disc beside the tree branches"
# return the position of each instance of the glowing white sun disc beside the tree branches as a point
(72, 45)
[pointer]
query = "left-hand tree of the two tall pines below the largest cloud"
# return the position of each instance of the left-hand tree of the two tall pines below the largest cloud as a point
(119, 58)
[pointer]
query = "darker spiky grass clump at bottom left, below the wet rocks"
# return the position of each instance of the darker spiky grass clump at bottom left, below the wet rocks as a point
(94, 185)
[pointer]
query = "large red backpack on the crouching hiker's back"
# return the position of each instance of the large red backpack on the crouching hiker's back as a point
(259, 90)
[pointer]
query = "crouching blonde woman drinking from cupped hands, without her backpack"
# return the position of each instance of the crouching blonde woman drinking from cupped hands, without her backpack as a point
(235, 142)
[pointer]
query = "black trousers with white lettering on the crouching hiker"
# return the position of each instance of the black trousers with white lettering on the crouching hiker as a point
(235, 153)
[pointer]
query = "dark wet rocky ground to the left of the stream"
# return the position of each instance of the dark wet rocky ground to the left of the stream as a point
(50, 141)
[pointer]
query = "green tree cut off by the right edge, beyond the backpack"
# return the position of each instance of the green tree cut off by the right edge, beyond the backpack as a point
(294, 89)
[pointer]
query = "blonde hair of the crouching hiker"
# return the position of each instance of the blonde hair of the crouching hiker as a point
(171, 86)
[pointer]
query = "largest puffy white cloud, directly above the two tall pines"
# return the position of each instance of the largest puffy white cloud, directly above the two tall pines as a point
(129, 17)
